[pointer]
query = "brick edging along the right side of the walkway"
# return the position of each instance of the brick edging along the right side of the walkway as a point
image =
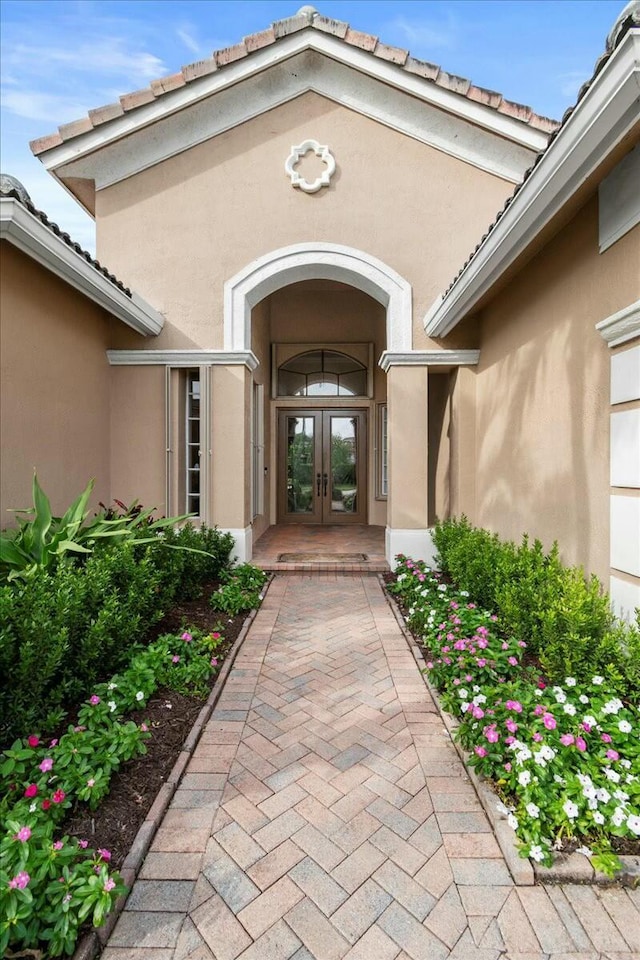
(567, 868)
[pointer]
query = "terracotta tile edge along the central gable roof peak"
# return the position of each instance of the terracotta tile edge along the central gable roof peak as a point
(306, 18)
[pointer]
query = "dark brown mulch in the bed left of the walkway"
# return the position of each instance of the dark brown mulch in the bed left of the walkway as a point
(170, 717)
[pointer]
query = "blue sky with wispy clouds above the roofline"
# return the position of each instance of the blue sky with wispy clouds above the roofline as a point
(62, 57)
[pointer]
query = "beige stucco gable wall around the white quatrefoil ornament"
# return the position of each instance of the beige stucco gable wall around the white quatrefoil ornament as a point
(207, 213)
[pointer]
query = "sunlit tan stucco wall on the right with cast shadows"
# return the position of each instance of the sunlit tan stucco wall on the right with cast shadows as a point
(541, 454)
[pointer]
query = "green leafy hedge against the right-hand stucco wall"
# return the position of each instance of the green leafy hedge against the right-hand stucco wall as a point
(564, 618)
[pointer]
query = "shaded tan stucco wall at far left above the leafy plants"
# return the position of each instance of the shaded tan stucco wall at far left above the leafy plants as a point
(54, 388)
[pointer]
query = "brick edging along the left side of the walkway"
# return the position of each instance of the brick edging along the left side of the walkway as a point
(95, 940)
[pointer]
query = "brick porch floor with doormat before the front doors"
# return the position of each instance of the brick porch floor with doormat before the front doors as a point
(311, 548)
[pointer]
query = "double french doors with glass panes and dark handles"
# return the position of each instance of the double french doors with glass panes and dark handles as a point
(322, 466)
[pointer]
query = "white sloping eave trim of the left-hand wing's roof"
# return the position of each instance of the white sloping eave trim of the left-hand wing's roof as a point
(26, 232)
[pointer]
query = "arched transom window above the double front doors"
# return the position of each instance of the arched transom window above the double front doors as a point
(322, 373)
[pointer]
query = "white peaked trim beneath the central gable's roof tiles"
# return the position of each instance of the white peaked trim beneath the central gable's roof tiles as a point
(304, 61)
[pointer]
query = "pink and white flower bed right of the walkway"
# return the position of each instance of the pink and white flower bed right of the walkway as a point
(564, 758)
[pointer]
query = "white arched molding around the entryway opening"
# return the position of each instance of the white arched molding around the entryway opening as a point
(316, 261)
